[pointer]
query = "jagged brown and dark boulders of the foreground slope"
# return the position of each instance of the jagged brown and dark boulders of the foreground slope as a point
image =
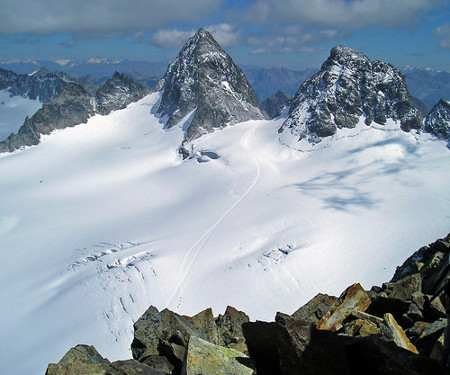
(397, 328)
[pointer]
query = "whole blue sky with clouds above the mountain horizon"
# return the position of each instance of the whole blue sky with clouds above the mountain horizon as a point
(296, 34)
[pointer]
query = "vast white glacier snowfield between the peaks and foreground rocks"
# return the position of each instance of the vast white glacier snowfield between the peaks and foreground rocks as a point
(104, 219)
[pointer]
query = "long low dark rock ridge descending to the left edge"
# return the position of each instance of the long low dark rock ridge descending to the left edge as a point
(73, 106)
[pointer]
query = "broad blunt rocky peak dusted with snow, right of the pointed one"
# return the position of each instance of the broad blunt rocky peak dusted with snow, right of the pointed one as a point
(348, 86)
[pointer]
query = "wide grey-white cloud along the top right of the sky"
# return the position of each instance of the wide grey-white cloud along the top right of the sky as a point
(341, 13)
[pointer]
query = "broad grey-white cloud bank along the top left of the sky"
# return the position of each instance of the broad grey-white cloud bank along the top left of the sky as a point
(99, 17)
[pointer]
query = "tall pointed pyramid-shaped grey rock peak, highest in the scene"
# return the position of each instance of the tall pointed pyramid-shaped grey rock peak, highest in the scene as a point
(204, 78)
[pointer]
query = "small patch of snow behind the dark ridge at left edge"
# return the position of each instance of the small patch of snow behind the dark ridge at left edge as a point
(13, 110)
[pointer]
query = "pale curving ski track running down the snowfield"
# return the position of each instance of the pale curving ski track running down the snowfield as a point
(194, 251)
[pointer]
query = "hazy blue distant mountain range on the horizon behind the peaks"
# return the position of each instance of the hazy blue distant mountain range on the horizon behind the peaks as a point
(427, 85)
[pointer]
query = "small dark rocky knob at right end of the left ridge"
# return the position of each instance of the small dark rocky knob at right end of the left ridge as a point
(117, 93)
